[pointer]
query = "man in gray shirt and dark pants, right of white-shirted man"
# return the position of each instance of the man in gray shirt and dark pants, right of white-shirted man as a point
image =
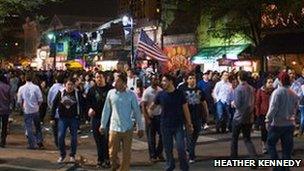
(243, 117)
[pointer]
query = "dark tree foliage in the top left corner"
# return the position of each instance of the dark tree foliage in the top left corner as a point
(12, 16)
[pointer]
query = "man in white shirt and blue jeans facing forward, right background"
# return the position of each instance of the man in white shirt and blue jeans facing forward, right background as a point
(221, 94)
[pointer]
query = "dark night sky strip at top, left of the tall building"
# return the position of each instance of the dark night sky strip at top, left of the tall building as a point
(94, 8)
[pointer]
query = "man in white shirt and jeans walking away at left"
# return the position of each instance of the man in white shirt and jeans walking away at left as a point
(30, 98)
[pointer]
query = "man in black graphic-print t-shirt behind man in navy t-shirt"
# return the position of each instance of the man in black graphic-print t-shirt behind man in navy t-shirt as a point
(198, 107)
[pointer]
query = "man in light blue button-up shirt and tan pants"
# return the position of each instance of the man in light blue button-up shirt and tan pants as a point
(119, 106)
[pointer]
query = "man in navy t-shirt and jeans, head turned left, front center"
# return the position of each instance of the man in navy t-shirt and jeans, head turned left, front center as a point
(175, 114)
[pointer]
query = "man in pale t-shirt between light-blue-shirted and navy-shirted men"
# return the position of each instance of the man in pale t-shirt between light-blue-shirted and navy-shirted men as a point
(152, 119)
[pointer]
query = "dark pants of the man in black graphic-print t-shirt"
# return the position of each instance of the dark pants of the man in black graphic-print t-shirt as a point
(192, 139)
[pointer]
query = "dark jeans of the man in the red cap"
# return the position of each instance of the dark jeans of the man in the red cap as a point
(285, 134)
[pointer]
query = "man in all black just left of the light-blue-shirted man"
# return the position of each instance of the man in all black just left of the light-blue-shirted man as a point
(95, 99)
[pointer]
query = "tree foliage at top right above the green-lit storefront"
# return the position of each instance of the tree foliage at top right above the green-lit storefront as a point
(229, 18)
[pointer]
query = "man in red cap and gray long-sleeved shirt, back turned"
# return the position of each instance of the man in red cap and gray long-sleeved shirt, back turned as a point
(280, 118)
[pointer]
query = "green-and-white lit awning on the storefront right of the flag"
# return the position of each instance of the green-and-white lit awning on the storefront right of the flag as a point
(214, 53)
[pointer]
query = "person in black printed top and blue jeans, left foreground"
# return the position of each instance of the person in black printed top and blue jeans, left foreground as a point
(68, 102)
